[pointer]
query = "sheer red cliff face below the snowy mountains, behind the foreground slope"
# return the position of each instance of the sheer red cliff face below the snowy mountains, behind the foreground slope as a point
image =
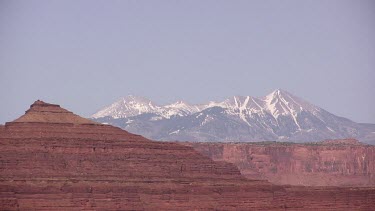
(331, 163)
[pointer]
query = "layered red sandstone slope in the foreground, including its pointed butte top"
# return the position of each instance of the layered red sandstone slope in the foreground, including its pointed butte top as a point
(51, 159)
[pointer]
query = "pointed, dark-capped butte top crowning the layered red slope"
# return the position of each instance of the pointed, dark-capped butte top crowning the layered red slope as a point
(41, 112)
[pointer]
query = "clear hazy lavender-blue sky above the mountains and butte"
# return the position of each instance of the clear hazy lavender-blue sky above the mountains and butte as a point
(84, 55)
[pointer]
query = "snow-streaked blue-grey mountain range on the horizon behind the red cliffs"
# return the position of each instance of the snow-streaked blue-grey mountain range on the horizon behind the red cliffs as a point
(277, 116)
